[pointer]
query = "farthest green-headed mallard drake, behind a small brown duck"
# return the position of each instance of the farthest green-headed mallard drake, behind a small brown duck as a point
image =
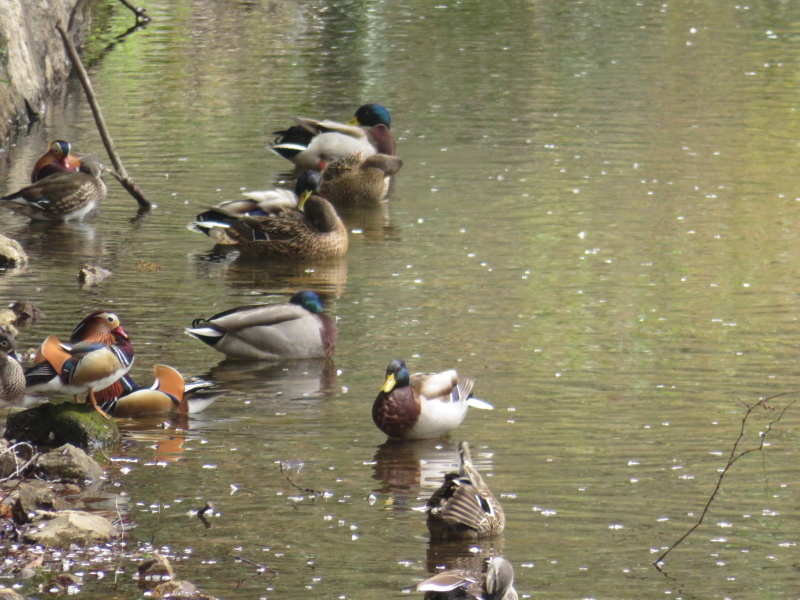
(310, 144)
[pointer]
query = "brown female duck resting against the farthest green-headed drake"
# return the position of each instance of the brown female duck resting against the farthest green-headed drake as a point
(357, 181)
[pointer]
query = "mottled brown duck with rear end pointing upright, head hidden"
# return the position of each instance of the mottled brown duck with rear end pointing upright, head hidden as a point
(464, 507)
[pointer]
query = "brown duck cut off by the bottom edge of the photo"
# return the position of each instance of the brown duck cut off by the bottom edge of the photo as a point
(495, 583)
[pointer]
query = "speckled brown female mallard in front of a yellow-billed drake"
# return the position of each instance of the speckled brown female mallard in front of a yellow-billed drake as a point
(315, 232)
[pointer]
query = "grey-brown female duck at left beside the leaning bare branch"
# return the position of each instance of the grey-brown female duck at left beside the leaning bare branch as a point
(61, 196)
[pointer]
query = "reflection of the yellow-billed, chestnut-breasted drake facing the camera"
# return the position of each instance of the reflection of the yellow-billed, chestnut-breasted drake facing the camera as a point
(406, 469)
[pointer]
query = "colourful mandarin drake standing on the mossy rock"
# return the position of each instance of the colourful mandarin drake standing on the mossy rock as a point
(81, 368)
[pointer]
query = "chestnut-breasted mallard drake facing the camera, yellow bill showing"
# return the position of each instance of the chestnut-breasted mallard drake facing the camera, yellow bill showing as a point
(423, 405)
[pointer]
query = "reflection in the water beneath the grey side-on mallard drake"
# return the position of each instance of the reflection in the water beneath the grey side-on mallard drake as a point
(295, 380)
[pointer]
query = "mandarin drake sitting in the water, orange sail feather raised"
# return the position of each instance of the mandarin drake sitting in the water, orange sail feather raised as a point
(169, 393)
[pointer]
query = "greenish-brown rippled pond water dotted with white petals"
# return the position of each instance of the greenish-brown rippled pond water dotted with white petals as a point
(596, 218)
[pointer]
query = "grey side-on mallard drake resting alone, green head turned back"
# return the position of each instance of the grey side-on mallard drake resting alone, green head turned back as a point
(296, 330)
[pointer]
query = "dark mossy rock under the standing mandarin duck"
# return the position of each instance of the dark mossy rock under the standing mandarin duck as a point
(54, 425)
